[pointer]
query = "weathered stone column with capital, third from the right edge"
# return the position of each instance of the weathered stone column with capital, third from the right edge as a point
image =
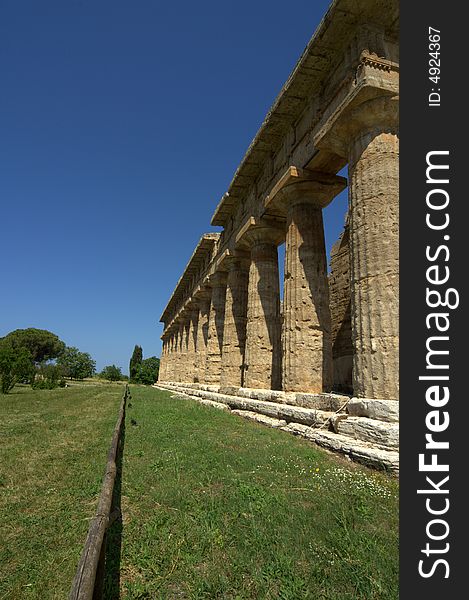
(263, 355)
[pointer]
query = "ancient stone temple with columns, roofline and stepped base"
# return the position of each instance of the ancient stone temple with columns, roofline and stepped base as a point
(331, 346)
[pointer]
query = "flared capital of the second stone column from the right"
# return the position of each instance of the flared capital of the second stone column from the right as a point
(304, 186)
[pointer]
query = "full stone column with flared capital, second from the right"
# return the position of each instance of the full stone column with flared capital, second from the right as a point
(301, 195)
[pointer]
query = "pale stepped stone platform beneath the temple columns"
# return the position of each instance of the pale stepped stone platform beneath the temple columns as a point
(364, 430)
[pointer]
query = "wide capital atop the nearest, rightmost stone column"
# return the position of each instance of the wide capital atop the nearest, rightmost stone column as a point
(361, 115)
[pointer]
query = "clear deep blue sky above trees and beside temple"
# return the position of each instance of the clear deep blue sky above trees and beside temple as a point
(121, 125)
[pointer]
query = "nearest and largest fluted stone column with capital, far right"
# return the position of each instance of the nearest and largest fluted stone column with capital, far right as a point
(368, 133)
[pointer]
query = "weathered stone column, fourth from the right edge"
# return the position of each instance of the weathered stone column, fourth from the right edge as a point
(234, 333)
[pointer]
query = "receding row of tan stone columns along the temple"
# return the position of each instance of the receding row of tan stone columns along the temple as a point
(232, 335)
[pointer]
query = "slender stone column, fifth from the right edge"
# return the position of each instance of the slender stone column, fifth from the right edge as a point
(215, 328)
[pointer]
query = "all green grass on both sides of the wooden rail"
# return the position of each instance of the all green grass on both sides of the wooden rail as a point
(213, 506)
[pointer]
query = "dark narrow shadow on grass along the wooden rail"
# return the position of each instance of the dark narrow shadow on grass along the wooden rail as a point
(114, 533)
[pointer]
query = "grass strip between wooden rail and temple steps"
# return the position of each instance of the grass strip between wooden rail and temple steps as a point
(218, 507)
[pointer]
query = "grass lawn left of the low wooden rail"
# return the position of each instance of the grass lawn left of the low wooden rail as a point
(53, 450)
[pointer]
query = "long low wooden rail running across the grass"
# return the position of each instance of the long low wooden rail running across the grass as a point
(89, 577)
